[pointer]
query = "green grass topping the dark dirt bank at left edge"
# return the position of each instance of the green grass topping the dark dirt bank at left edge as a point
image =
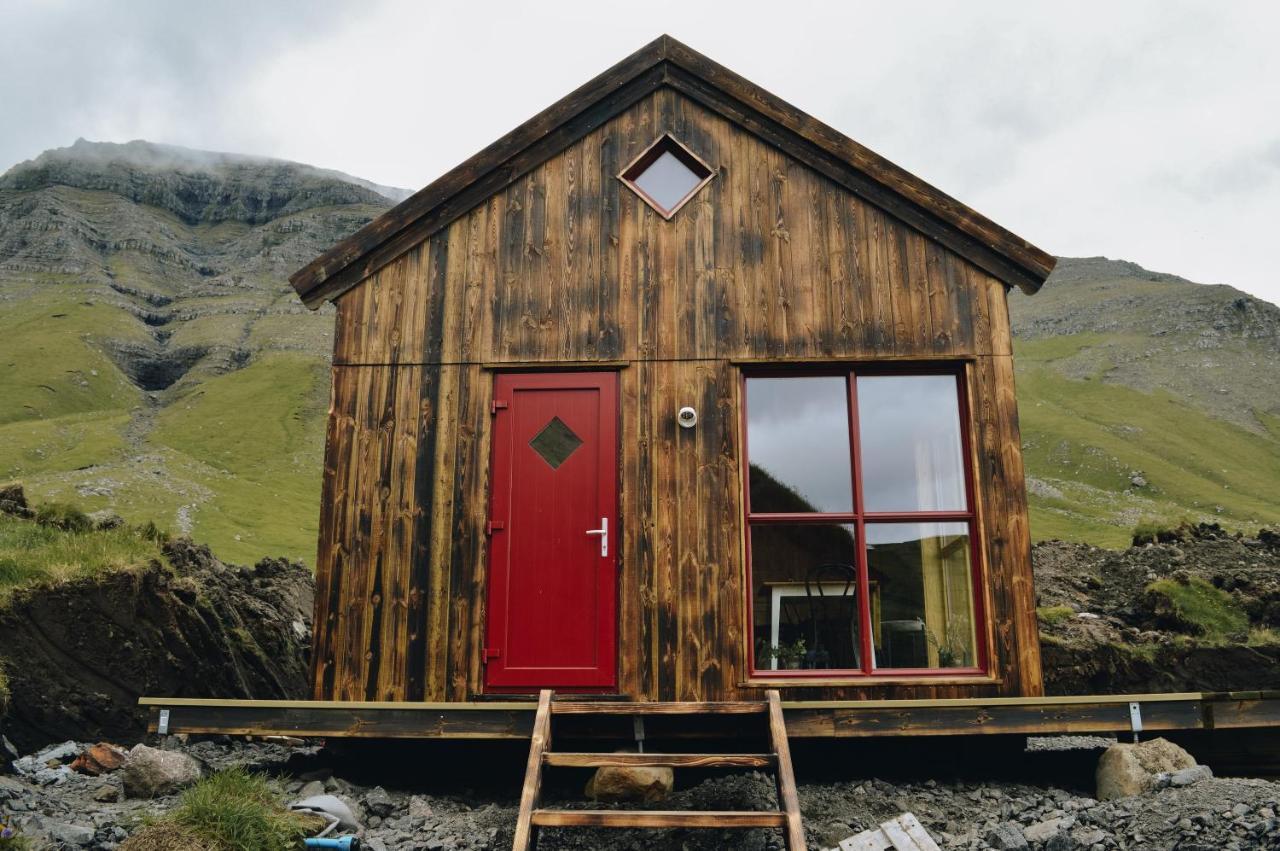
(34, 553)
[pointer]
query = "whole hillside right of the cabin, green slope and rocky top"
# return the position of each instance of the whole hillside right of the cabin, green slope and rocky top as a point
(1146, 397)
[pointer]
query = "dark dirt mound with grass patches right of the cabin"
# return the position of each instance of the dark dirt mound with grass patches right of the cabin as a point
(1194, 608)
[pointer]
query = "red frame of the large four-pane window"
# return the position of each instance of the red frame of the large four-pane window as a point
(860, 519)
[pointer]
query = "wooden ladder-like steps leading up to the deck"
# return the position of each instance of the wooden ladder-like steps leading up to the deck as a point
(541, 756)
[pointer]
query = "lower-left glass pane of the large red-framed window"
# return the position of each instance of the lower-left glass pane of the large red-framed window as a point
(804, 598)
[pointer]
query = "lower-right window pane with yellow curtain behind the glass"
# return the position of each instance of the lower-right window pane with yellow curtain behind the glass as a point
(922, 575)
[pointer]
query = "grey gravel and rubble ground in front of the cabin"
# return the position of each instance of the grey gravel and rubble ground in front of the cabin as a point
(1220, 815)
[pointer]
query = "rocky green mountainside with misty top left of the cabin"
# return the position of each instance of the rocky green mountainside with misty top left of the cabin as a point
(157, 360)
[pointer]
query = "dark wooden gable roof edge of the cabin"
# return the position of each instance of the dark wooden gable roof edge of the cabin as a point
(666, 62)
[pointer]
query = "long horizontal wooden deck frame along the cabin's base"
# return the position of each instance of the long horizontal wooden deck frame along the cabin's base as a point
(804, 720)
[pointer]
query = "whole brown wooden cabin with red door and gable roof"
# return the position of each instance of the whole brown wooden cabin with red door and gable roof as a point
(678, 395)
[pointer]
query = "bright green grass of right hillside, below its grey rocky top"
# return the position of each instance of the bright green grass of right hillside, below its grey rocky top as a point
(1084, 438)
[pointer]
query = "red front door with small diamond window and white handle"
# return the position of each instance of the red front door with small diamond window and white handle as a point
(552, 617)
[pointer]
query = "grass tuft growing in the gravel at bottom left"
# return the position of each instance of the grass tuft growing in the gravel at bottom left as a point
(237, 811)
